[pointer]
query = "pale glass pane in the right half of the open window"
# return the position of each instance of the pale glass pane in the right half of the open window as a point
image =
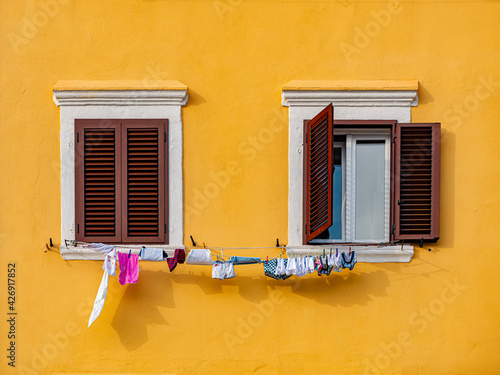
(370, 190)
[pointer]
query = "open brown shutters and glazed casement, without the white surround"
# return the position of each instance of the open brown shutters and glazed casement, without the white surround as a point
(349, 181)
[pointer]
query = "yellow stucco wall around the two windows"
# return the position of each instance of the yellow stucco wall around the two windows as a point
(438, 314)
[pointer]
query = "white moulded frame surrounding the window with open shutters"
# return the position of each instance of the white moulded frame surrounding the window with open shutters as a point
(352, 100)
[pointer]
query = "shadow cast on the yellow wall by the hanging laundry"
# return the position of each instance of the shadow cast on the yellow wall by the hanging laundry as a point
(138, 307)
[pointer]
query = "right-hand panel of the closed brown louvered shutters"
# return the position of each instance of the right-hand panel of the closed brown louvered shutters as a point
(145, 183)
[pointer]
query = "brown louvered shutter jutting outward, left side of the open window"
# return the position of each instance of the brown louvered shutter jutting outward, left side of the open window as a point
(318, 176)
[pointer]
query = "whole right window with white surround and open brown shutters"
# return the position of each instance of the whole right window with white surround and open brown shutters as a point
(368, 115)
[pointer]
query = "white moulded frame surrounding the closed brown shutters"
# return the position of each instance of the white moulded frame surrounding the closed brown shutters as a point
(120, 100)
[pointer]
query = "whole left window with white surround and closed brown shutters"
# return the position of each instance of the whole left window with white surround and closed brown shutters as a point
(87, 103)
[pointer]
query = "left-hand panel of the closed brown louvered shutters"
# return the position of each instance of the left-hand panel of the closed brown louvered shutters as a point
(97, 181)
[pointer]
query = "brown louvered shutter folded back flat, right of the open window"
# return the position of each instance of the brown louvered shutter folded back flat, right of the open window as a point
(416, 181)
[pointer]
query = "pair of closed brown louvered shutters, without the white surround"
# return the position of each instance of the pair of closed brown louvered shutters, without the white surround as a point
(120, 184)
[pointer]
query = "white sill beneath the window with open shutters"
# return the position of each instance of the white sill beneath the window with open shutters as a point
(386, 254)
